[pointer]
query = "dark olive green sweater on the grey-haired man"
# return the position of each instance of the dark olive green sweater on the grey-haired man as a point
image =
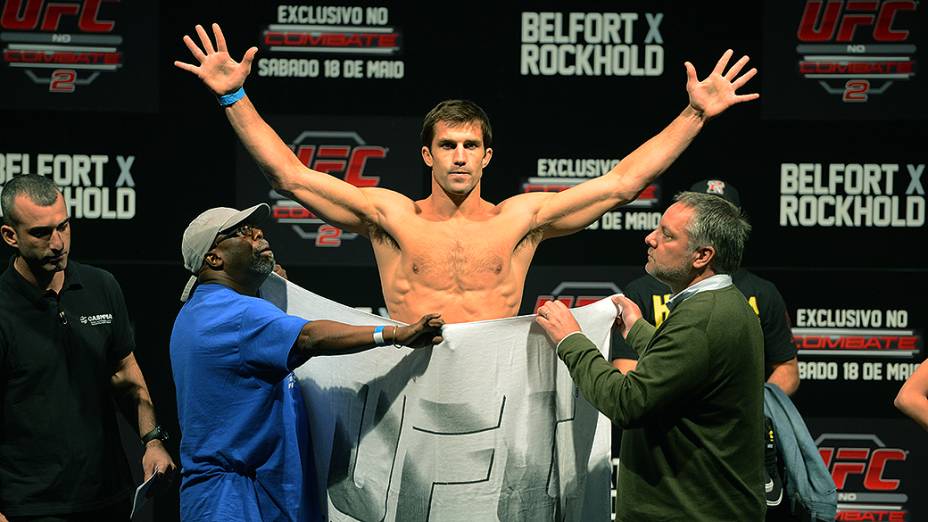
(692, 411)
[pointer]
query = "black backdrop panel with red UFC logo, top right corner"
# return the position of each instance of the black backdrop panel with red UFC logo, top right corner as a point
(841, 60)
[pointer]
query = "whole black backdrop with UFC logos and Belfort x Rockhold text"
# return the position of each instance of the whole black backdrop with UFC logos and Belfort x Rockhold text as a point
(834, 184)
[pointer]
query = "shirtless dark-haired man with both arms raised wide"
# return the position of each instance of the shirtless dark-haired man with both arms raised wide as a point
(454, 252)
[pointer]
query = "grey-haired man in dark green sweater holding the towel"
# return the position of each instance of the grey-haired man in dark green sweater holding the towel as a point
(692, 411)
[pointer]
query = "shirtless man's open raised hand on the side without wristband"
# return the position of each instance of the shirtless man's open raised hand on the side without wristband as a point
(711, 96)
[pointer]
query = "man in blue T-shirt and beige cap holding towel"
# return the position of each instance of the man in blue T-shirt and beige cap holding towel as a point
(244, 452)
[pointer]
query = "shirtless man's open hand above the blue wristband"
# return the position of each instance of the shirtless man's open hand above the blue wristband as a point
(217, 69)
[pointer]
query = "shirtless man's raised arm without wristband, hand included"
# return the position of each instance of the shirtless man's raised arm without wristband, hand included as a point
(573, 209)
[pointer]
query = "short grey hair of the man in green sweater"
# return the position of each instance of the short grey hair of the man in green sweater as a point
(716, 222)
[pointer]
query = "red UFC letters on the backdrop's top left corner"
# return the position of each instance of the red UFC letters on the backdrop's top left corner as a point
(27, 19)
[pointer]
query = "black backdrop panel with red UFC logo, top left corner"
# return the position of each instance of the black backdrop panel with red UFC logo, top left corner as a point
(93, 54)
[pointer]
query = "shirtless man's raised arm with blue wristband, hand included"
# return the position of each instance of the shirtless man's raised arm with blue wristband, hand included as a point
(337, 202)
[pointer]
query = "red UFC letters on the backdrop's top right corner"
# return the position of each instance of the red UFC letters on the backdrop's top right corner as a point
(821, 21)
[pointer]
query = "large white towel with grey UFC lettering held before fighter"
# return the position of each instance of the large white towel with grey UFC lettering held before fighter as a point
(486, 425)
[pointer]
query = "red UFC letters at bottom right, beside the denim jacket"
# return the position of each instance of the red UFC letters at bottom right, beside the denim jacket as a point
(860, 461)
